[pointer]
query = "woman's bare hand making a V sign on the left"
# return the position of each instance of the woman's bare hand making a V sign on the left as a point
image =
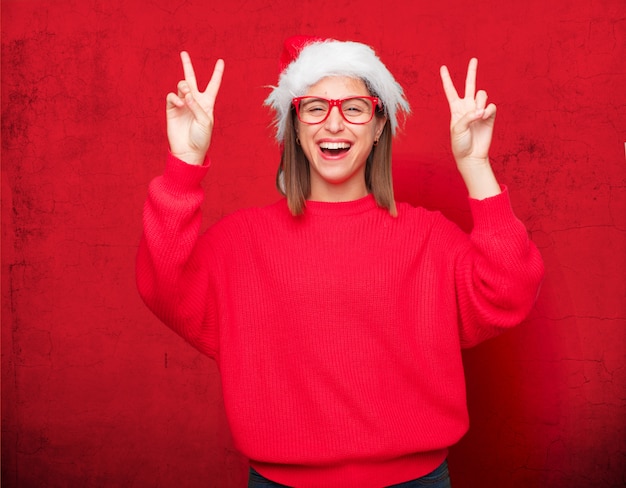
(190, 114)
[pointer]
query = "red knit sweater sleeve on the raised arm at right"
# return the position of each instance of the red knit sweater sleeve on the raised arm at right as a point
(498, 275)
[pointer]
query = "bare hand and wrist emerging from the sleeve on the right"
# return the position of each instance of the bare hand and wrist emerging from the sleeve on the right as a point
(471, 130)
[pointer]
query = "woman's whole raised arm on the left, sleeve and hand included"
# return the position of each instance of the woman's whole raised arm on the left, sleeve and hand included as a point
(173, 265)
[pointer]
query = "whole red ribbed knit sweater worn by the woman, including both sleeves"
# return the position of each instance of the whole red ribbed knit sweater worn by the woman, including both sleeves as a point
(337, 333)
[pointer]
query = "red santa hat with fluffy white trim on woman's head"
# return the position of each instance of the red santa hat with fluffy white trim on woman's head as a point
(306, 60)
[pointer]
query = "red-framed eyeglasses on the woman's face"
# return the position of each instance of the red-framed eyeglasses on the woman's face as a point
(355, 110)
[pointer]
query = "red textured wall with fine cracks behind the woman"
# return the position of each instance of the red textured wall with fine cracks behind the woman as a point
(97, 393)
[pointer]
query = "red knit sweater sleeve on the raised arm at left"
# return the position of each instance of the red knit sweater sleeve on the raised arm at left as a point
(171, 268)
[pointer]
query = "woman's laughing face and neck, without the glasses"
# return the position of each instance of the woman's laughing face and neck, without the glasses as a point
(337, 150)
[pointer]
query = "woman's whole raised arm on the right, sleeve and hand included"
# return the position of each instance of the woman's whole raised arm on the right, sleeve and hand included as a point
(498, 277)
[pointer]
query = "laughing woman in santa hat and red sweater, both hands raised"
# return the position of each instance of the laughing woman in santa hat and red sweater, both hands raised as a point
(336, 315)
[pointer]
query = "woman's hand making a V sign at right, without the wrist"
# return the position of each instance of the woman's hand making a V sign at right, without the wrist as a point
(471, 119)
